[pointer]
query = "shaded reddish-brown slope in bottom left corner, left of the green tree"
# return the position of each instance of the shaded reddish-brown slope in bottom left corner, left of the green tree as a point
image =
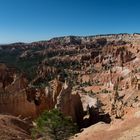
(13, 128)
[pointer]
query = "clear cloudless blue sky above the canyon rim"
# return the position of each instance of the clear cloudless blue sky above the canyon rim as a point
(34, 20)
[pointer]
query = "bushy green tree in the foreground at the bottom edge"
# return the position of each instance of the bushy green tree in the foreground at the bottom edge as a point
(53, 125)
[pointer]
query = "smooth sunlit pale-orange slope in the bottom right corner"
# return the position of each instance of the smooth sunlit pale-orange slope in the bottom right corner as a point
(126, 129)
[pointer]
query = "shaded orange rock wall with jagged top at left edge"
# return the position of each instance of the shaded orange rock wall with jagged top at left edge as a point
(12, 93)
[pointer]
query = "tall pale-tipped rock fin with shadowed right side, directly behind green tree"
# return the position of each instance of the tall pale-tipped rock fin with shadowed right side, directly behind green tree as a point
(70, 104)
